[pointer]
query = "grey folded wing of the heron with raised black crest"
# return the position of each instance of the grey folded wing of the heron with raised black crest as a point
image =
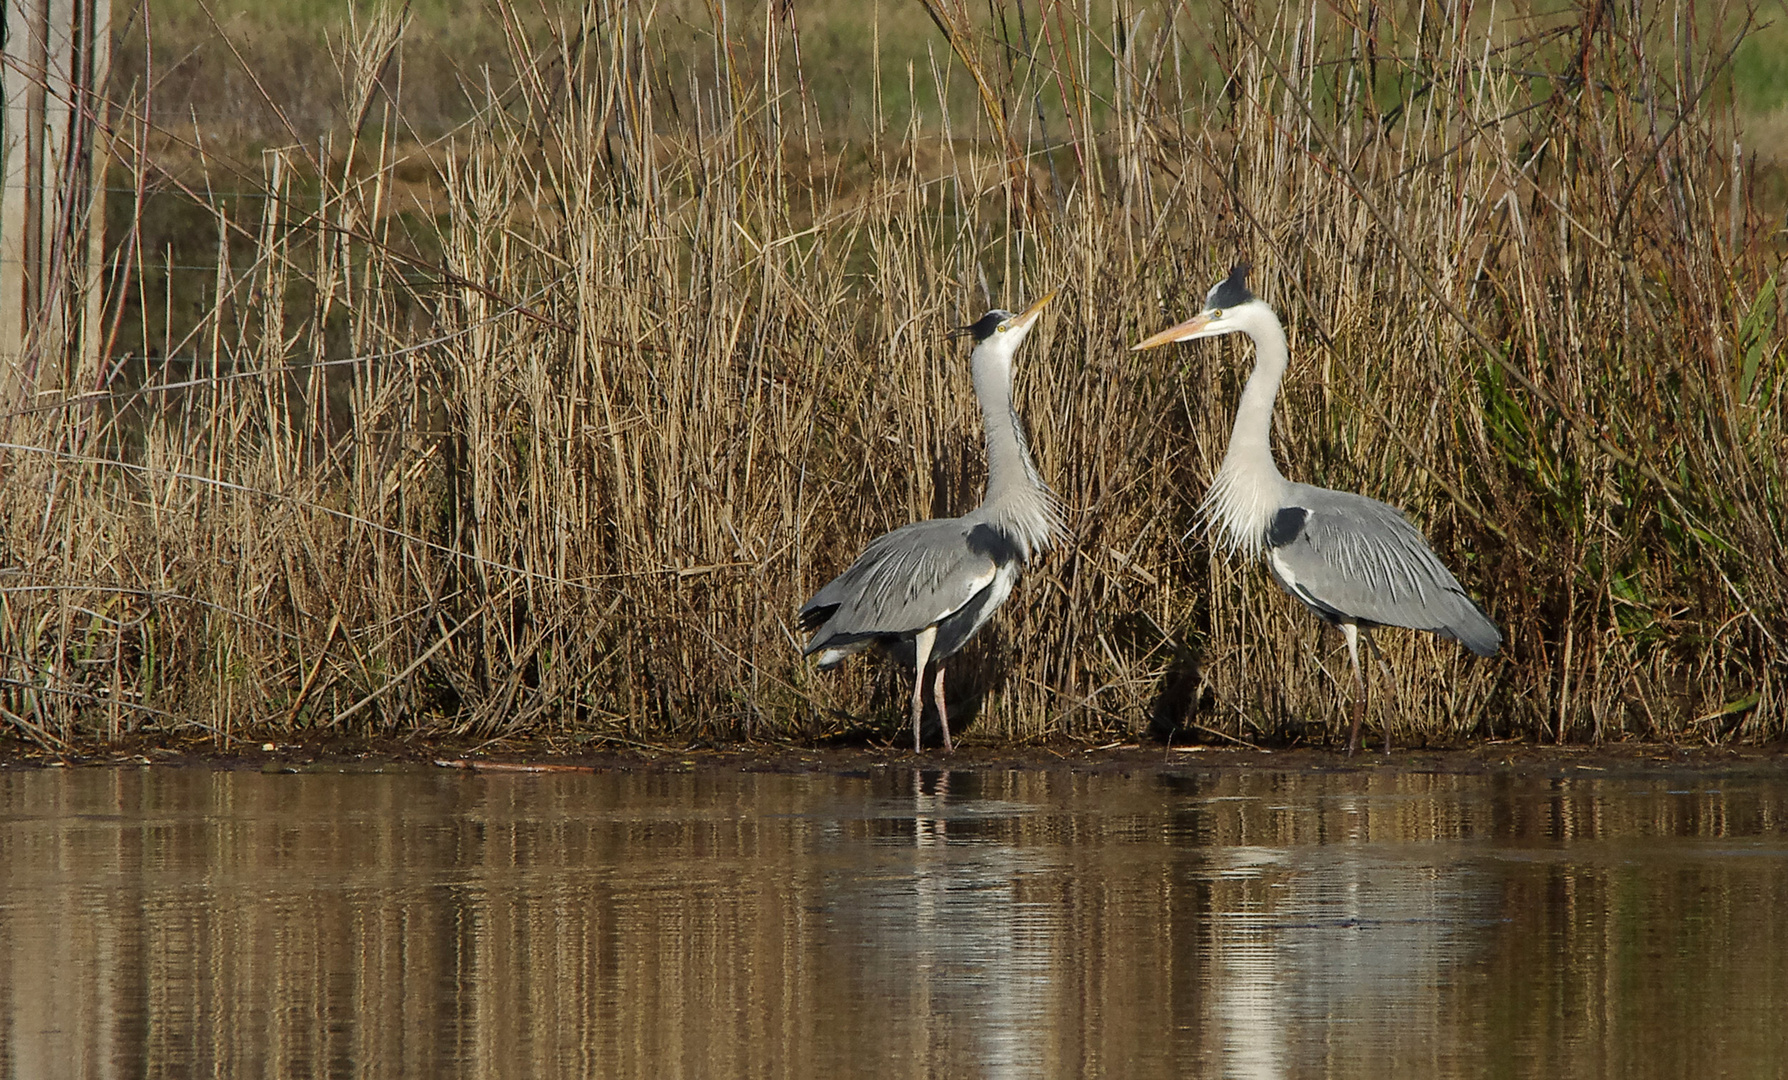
(1354, 559)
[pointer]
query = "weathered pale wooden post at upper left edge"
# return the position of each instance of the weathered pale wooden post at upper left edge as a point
(53, 194)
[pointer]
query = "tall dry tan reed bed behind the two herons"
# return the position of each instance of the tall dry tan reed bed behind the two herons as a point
(562, 455)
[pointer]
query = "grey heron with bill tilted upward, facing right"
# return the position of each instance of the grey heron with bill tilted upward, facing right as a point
(925, 589)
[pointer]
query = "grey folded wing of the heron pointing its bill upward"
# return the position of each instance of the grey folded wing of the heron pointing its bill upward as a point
(902, 584)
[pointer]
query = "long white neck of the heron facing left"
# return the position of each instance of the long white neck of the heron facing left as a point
(1249, 489)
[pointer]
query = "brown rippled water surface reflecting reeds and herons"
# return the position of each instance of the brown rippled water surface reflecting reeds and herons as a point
(893, 924)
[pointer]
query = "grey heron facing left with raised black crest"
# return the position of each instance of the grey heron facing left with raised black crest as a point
(1353, 561)
